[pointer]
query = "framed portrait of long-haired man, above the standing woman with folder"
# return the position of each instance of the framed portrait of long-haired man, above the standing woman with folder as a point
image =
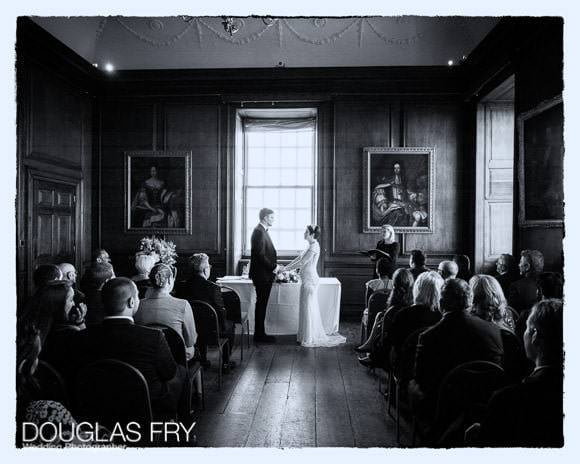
(398, 189)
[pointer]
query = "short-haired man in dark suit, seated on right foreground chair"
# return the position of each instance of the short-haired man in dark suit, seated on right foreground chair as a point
(456, 339)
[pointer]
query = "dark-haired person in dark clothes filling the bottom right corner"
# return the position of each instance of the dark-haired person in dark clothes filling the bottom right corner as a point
(530, 414)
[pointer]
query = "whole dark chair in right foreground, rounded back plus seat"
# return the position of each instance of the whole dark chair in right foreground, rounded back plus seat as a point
(462, 400)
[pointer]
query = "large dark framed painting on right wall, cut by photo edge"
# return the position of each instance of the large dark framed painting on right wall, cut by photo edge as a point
(541, 165)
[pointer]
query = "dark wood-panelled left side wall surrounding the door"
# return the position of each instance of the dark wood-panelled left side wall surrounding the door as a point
(54, 114)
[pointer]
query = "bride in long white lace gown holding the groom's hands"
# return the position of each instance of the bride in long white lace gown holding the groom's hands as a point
(310, 329)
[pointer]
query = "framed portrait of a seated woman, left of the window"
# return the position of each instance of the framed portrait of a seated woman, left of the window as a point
(158, 192)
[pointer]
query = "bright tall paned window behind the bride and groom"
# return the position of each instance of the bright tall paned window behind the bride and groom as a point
(280, 174)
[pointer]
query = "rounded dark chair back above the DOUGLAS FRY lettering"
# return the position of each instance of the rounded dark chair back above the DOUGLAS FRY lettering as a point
(111, 391)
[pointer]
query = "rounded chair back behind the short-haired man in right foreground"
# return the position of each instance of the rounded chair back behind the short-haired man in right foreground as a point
(464, 393)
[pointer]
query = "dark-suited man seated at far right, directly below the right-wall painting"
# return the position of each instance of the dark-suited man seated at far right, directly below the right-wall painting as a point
(523, 293)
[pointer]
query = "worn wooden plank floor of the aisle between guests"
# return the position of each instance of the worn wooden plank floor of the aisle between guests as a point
(284, 395)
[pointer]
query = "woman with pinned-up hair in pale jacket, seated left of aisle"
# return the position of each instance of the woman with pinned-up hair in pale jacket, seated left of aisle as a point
(162, 308)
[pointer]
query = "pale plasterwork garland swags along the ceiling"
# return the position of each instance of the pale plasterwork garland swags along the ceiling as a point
(275, 23)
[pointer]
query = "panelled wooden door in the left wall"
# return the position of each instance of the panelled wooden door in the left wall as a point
(53, 223)
